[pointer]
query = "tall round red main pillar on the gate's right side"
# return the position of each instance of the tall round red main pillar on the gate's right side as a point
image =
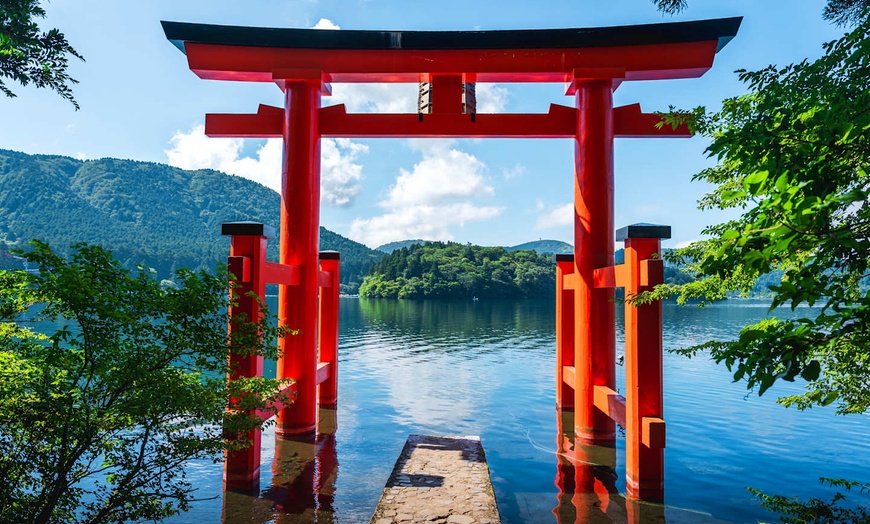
(594, 326)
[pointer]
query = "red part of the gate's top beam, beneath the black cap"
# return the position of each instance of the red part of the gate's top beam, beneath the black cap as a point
(267, 64)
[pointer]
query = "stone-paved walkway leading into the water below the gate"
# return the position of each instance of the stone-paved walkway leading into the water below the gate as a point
(443, 480)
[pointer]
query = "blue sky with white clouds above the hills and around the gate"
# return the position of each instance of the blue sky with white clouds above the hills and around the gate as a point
(140, 101)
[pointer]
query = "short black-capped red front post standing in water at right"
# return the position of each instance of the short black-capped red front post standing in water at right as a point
(645, 435)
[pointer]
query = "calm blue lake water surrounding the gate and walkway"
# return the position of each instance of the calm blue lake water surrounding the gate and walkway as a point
(487, 368)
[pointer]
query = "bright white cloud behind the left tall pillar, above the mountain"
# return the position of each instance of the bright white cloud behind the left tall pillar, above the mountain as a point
(340, 174)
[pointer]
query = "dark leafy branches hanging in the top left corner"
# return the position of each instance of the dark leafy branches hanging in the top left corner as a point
(31, 56)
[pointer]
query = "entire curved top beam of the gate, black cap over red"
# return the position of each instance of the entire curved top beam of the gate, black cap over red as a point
(639, 52)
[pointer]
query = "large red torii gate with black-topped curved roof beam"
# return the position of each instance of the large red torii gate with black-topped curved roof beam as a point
(592, 63)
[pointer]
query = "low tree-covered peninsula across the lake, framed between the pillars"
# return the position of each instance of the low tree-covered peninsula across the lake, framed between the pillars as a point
(450, 270)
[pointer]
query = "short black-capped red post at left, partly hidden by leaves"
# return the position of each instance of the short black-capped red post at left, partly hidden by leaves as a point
(246, 263)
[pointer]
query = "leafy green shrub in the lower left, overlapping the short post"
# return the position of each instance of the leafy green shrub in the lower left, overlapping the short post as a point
(100, 413)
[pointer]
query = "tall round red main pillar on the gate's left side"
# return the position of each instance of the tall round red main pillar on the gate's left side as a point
(300, 240)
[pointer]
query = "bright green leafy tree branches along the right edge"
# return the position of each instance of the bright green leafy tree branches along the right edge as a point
(793, 156)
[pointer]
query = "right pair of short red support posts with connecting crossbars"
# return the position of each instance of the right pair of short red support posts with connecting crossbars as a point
(641, 410)
